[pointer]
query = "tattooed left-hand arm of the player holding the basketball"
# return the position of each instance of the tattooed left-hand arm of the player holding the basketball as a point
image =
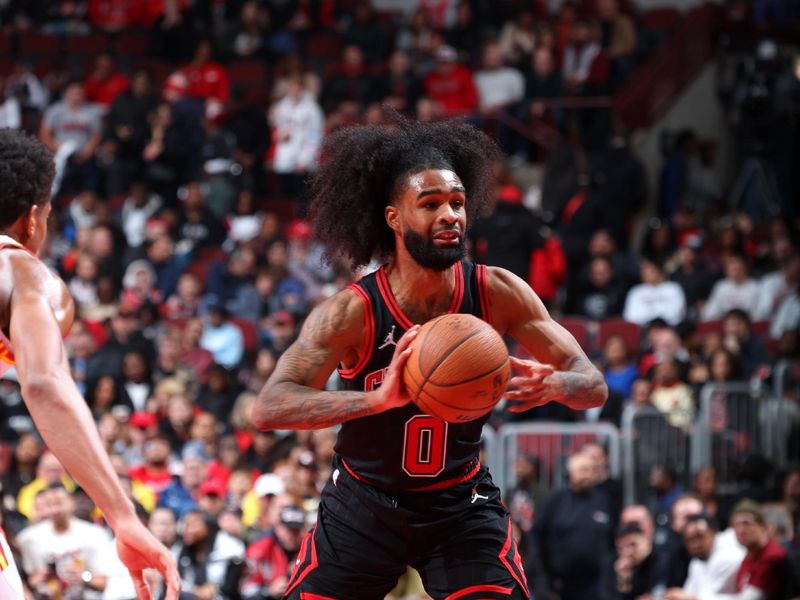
(293, 397)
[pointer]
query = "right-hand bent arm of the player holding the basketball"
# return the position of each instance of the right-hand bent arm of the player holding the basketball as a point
(564, 373)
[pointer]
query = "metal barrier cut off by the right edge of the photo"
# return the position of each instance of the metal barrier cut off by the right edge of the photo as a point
(784, 413)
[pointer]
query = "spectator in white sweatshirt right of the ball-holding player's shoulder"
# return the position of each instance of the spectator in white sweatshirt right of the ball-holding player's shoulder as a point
(654, 298)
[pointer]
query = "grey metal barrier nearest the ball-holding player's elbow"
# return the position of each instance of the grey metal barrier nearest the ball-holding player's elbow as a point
(551, 443)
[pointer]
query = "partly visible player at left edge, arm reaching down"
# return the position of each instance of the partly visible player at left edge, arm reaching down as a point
(36, 310)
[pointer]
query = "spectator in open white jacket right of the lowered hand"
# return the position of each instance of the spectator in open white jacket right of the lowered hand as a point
(209, 560)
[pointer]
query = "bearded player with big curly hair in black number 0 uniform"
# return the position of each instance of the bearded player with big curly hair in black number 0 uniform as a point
(406, 488)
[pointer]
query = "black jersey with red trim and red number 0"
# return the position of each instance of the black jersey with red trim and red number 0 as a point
(403, 448)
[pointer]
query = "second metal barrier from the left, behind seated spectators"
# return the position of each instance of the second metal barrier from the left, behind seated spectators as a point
(649, 440)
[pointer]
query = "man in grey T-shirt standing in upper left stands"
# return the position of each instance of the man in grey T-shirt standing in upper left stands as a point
(72, 129)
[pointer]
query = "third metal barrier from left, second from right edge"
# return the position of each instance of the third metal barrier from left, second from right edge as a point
(732, 423)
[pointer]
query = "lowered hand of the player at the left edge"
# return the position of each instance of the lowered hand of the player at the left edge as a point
(139, 550)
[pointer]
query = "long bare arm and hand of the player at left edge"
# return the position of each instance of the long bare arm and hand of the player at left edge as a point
(66, 425)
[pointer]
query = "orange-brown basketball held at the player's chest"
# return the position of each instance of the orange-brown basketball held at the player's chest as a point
(458, 368)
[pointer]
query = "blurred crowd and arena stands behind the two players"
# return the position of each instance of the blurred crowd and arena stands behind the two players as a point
(648, 194)
